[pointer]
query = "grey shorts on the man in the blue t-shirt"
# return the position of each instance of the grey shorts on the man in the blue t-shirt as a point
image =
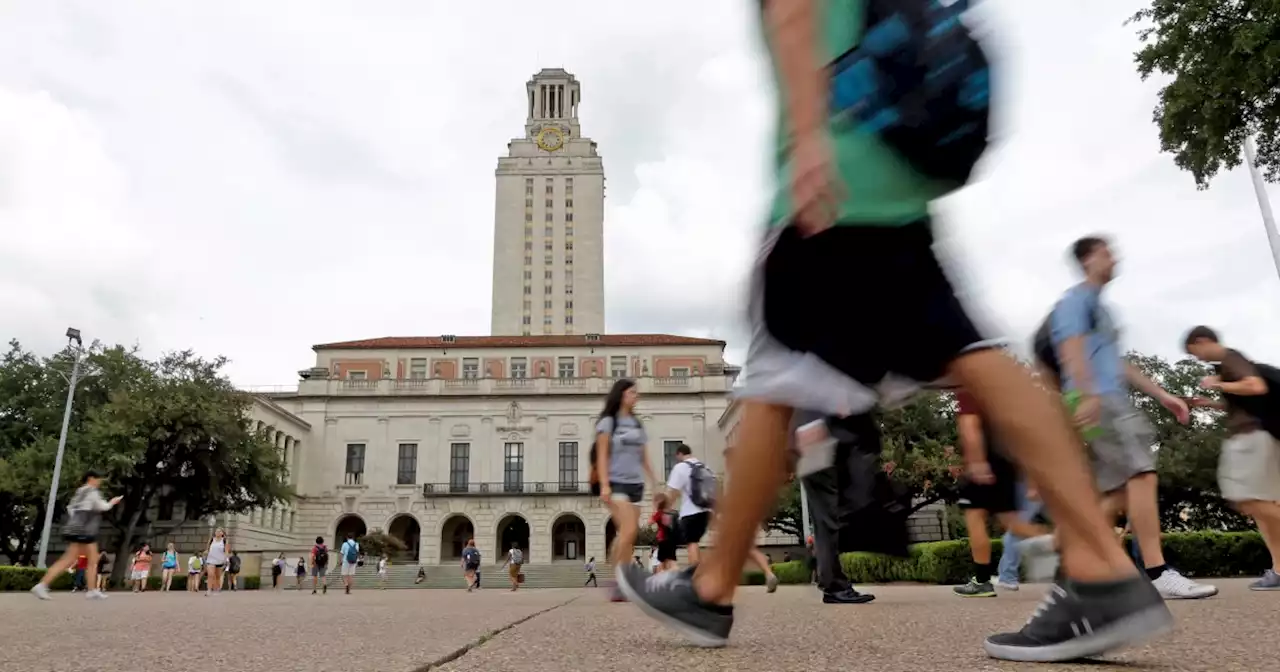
(1124, 450)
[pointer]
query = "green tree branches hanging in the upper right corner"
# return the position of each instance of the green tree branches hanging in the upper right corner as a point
(1224, 60)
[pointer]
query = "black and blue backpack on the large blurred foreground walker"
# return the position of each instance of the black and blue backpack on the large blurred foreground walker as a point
(921, 81)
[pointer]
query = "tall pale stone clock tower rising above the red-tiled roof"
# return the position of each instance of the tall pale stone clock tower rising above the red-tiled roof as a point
(548, 253)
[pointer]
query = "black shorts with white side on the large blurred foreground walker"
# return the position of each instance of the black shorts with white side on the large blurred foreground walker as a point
(870, 301)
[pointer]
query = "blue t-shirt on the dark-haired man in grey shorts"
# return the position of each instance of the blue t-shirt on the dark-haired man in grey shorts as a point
(1081, 313)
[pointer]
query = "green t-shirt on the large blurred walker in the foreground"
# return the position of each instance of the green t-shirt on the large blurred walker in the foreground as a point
(881, 189)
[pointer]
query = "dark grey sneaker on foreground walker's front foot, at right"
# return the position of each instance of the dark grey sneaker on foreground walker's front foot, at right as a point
(1085, 620)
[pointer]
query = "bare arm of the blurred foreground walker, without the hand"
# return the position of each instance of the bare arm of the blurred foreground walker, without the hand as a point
(793, 26)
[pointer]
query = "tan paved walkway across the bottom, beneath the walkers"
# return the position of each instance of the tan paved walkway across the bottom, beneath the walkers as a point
(908, 629)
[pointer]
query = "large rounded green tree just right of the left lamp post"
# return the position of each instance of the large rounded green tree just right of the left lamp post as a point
(180, 433)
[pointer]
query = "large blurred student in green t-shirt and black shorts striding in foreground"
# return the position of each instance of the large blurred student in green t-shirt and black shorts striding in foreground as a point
(853, 218)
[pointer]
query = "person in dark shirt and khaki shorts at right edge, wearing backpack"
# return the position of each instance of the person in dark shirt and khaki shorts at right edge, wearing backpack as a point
(1249, 469)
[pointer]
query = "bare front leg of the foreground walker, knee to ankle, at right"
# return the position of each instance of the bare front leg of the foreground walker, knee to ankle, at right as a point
(1050, 454)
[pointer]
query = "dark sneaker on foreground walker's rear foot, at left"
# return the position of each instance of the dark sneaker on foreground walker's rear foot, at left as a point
(674, 604)
